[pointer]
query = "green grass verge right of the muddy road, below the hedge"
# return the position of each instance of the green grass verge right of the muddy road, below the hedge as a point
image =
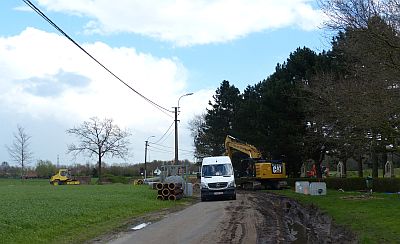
(373, 218)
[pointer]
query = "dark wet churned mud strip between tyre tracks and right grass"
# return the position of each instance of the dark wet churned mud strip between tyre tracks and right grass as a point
(287, 221)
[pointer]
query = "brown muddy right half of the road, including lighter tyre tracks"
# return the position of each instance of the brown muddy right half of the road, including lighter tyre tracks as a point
(270, 218)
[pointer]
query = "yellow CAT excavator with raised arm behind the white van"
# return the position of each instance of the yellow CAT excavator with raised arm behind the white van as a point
(268, 173)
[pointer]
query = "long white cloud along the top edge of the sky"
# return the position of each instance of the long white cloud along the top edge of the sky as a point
(195, 22)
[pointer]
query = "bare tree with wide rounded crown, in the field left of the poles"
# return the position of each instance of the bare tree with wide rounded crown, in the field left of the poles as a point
(100, 138)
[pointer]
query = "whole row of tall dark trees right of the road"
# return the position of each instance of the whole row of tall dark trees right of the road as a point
(342, 102)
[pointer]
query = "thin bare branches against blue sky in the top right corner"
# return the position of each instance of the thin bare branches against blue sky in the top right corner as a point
(344, 15)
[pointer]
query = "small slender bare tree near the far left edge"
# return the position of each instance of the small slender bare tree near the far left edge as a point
(19, 149)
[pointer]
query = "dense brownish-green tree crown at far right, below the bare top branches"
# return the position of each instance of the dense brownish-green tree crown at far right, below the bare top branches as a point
(358, 107)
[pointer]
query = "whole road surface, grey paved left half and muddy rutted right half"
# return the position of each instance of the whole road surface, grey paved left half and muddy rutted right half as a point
(255, 217)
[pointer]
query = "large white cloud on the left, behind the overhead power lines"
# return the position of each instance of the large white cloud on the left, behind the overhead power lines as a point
(46, 78)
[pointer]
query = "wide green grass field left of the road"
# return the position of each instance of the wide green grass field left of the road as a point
(36, 212)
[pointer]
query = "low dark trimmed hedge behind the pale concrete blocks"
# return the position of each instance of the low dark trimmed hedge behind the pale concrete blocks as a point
(354, 184)
